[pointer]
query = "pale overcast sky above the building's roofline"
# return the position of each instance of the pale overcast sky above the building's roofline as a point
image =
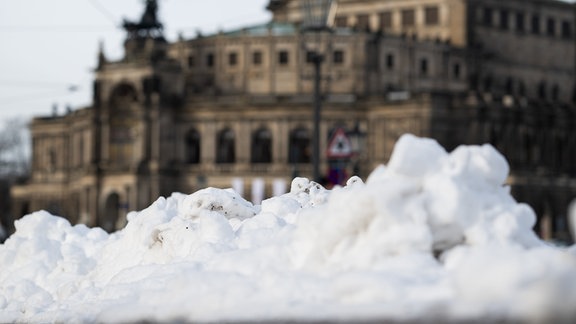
(48, 48)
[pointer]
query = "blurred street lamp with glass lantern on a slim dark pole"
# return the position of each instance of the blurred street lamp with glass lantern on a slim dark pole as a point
(317, 17)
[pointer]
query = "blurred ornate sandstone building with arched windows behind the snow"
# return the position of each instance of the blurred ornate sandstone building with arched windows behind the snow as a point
(236, 106)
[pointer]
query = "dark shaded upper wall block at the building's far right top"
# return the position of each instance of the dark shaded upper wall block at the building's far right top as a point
(529, 47)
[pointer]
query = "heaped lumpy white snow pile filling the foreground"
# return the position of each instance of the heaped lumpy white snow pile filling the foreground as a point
(431, 236)
